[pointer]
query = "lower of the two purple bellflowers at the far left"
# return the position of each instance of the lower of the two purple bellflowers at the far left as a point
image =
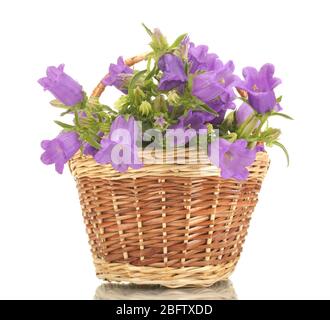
(61, 149)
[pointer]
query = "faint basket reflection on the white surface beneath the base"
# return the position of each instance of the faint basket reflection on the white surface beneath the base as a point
(222, 290)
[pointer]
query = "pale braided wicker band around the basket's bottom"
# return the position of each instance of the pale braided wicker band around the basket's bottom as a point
(168, 277)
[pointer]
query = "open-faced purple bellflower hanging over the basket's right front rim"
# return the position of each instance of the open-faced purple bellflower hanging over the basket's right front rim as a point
(232, 158)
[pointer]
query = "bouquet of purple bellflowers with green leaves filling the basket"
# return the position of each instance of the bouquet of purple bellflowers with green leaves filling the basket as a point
(184, 95)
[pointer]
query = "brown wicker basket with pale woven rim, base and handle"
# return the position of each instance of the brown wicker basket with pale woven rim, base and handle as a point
(170, 224)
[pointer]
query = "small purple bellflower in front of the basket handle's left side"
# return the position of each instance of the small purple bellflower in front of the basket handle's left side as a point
(119, 75)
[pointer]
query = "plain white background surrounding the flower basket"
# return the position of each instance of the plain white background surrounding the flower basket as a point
(43, 247)
